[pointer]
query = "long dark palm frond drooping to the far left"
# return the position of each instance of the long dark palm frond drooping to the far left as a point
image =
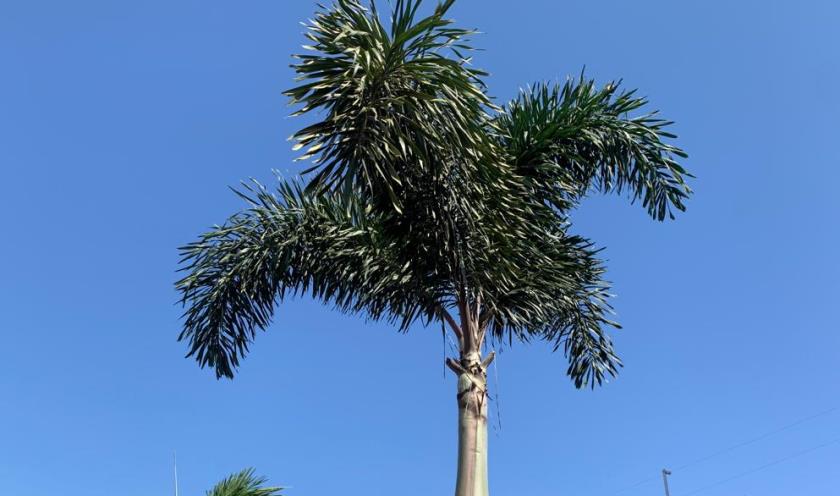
(295, 242)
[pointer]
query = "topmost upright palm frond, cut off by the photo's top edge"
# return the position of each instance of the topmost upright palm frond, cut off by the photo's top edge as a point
(396, 102)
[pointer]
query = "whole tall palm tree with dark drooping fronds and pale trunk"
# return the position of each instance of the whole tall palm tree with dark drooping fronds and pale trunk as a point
(426, 203)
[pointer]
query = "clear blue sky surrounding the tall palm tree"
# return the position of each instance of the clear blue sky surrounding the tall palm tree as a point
(122, 124)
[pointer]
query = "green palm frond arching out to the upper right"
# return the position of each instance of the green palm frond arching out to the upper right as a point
(566, 139)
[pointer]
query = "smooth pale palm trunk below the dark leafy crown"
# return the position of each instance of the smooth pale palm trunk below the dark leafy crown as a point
(472, 436)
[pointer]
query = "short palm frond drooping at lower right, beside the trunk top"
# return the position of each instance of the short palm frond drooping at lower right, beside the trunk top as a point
(557, 294)
